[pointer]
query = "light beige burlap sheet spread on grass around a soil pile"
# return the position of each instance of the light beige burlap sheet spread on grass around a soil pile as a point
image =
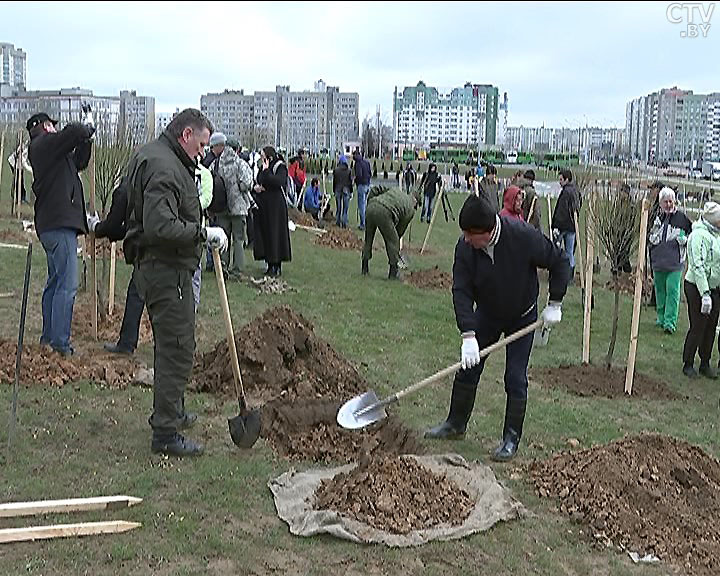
(294, 498)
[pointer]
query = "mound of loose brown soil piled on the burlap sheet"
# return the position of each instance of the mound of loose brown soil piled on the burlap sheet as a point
(395, 494)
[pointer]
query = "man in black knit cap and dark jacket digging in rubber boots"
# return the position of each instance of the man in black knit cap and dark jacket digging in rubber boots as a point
(495, 291)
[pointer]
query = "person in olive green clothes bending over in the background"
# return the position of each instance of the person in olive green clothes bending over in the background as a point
(390, 211)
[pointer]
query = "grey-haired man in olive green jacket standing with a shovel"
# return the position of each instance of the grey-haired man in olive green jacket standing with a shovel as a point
(164, 242)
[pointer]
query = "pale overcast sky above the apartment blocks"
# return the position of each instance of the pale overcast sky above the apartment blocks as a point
(561, 64)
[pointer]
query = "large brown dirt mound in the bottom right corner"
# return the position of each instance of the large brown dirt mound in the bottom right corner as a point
(648, 494)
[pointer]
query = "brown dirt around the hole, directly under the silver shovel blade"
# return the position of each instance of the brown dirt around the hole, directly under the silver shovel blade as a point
(307, 430)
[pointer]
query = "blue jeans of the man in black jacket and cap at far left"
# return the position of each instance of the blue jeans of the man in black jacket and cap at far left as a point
(59, 295)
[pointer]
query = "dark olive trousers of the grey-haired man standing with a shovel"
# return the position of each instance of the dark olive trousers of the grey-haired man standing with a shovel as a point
(168, 294)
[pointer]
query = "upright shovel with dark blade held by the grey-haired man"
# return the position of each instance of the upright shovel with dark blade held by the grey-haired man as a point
(245, 427)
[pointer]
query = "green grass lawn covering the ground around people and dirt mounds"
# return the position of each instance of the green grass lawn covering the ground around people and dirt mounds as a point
(215, 514)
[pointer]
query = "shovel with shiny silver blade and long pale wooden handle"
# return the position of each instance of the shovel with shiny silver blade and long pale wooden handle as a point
(367, 408)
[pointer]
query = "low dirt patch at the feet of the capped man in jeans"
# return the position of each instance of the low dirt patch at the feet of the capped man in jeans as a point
(40, 365)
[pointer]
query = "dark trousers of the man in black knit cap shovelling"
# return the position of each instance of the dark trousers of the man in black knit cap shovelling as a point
(517, 356)
